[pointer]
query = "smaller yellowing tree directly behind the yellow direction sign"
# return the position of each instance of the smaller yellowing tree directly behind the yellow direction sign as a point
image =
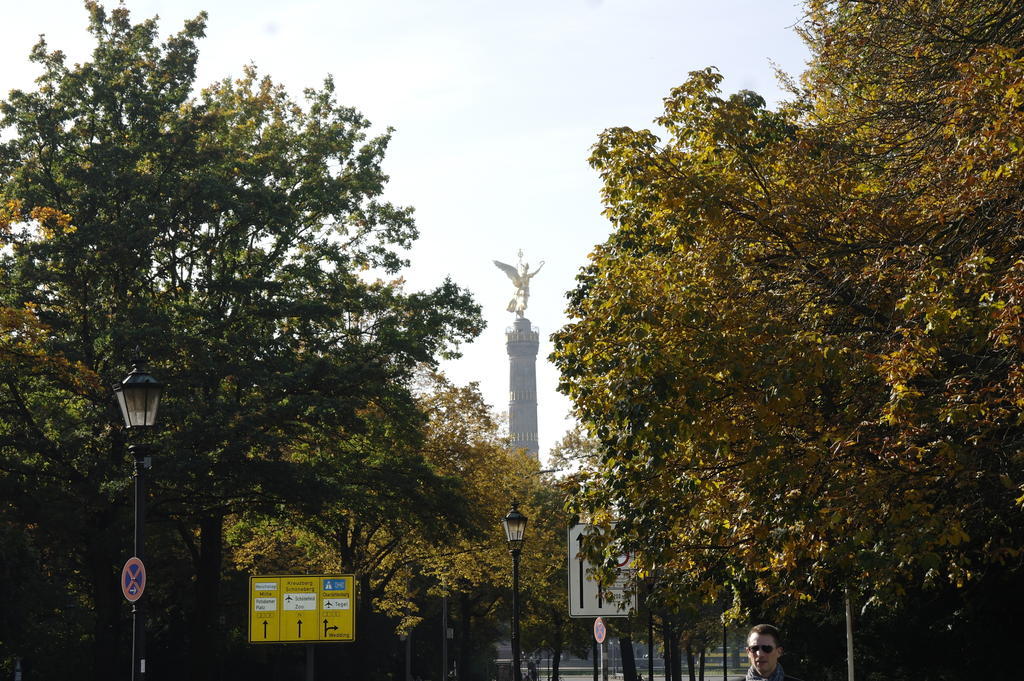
(412, 539)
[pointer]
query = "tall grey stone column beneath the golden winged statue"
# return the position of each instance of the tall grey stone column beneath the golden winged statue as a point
(523, 342)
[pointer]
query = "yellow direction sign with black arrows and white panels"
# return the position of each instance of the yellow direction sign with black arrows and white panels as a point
(302, 609)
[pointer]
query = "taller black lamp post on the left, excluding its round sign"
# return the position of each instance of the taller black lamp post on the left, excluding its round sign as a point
(139, 397)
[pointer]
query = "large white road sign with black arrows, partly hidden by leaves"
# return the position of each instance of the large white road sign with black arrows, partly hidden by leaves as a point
(587, 598)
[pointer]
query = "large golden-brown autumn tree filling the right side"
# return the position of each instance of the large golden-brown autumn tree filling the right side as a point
(799, 350)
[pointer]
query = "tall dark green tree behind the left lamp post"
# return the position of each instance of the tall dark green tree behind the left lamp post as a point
(227, 235)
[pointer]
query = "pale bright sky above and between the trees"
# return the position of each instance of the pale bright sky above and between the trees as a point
(495, 108)
